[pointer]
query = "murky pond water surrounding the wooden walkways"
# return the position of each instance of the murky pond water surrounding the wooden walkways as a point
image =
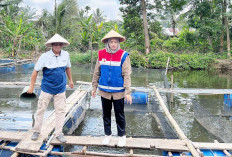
(17, 115)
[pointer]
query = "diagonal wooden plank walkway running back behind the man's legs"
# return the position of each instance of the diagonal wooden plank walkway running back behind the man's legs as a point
(27, 145)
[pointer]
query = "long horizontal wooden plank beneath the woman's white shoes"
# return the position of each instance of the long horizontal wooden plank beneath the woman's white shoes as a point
(142, 143)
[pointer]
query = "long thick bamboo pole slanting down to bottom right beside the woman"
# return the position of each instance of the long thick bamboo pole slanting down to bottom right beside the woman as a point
(176, 126)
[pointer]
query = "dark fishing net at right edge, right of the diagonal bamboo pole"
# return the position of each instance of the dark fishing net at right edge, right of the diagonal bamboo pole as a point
(218, 125)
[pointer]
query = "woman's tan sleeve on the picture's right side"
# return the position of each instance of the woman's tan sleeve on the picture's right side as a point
(126, 72)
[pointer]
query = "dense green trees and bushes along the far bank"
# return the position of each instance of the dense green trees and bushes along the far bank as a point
(202, 37)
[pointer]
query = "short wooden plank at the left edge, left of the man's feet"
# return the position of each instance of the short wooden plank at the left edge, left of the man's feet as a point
(11, 136)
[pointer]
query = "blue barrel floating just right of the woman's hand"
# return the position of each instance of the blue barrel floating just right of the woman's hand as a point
(139, 97)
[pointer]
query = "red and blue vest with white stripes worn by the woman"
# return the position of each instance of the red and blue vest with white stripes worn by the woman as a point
(111, 79)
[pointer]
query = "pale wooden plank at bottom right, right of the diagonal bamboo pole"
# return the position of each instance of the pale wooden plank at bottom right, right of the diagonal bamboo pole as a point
(213, 146)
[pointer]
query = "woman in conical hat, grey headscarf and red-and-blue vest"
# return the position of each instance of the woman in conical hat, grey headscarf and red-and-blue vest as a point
(112, 77)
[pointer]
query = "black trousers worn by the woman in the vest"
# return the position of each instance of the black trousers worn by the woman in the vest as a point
(119, 115)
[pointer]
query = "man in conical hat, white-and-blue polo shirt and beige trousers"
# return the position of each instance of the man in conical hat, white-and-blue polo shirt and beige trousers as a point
(55, 64)
